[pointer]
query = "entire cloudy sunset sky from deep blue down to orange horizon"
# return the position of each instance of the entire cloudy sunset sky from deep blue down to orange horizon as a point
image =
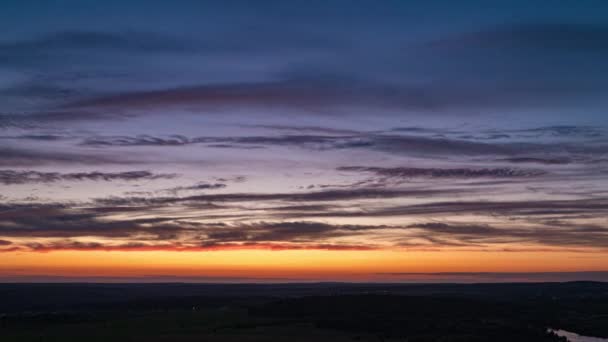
(278, 141)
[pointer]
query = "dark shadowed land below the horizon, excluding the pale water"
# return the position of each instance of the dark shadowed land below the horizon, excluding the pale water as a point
(301, 312)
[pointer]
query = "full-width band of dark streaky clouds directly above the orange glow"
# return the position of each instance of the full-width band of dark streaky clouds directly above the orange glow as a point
(64, 227)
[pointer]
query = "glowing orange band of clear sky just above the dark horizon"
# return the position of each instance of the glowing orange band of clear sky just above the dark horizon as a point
(292, 264)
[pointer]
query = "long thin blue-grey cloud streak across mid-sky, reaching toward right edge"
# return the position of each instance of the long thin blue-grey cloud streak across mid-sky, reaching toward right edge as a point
(391, 143)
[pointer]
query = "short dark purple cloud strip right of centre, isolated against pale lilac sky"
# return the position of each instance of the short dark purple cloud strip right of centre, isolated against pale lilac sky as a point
(410, 172)
